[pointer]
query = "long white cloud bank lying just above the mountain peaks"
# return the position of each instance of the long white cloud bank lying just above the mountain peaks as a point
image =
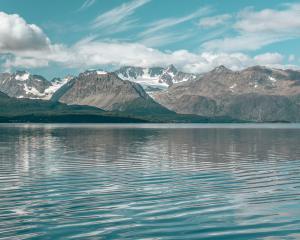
(96, 54)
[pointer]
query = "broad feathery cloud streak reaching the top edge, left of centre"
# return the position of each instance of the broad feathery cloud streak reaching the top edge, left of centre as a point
(117, 17)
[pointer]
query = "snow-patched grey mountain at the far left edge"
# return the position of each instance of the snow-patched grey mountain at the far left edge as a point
(22, 84)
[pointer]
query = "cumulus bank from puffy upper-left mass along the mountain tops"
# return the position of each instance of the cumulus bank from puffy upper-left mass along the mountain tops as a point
(94, 53)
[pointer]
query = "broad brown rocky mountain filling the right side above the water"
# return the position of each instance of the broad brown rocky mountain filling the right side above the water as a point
(256, 94)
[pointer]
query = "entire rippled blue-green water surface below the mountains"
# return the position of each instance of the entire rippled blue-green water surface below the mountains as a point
(150, 181)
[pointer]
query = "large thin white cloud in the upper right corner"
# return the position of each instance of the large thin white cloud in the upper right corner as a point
(255, 29)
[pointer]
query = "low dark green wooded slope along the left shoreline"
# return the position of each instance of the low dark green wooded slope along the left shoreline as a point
(36, 110)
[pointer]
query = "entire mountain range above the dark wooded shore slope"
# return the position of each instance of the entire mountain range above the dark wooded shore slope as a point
(258, 93)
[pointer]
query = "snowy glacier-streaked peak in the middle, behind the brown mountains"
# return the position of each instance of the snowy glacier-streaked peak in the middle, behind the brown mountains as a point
(155, 78)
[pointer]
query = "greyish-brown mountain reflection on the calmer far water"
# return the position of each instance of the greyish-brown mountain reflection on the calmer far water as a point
(161, 148)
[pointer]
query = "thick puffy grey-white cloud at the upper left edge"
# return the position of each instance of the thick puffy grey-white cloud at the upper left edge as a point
(17, 35)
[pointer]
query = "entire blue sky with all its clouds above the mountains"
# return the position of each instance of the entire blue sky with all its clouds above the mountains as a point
(57, 38)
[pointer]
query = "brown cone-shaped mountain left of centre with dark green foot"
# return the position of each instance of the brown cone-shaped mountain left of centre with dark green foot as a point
(107, 91)
